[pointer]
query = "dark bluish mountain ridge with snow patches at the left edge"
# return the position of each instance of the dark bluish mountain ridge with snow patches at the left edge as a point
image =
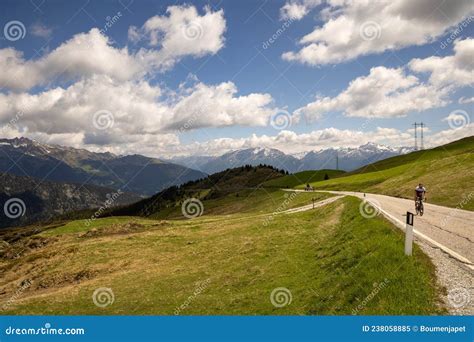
(133, 173)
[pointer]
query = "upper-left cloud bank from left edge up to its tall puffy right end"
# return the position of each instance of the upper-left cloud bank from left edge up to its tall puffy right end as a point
(92, 53)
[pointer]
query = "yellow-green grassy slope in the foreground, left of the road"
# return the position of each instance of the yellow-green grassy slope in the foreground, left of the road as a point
(328, 260)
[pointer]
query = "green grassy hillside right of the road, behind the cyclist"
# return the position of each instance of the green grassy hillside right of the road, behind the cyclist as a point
(446, 171)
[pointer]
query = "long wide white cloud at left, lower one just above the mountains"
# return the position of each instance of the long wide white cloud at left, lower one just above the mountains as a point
(136, 107)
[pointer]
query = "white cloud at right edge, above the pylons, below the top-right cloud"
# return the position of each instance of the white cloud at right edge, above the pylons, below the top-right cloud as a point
(393, 92)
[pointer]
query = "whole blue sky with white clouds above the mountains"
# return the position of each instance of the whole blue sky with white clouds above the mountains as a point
(242, 59)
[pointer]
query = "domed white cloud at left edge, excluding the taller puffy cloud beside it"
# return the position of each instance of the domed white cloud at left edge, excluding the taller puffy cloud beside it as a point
(84, 55)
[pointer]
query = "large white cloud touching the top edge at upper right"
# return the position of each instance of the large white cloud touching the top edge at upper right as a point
(356, 28)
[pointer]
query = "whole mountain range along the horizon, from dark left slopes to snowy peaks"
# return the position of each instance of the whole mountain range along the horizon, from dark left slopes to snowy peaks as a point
(54, 180)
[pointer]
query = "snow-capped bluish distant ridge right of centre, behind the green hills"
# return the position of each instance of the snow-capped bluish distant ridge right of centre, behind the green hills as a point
(346, 159)
